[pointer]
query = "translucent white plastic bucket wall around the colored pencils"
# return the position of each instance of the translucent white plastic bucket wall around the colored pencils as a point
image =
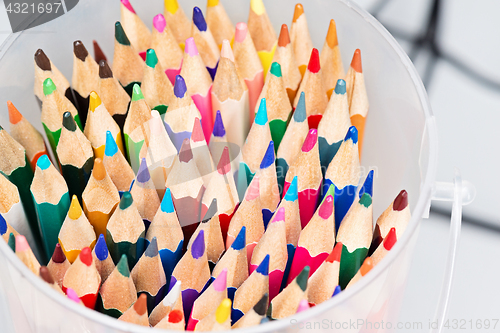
(400, 144)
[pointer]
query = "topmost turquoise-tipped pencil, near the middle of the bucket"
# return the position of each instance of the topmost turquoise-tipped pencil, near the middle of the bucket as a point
(254, 149)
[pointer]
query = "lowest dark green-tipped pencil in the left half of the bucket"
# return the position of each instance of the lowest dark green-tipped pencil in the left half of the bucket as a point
(118, 292)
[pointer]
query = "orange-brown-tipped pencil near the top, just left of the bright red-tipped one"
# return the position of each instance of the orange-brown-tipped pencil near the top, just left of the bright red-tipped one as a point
(285, 56)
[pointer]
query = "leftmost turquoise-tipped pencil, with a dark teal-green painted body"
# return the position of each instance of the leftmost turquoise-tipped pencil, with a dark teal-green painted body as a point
(52, 201)
